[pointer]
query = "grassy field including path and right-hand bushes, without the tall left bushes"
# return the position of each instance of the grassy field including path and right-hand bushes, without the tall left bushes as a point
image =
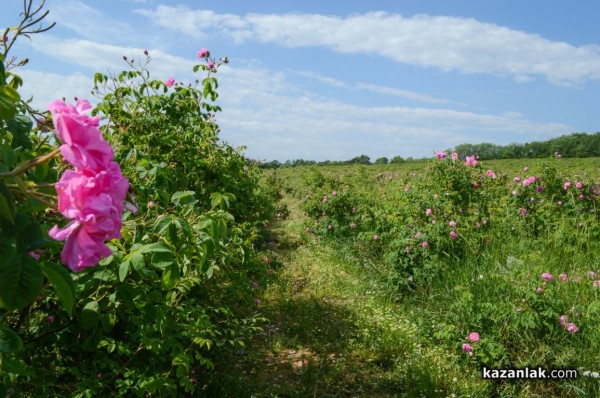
(368, 311)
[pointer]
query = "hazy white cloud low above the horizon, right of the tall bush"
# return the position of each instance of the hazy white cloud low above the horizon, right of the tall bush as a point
(276, 123)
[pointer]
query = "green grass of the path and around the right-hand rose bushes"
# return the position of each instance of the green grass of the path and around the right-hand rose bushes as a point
(339, 326)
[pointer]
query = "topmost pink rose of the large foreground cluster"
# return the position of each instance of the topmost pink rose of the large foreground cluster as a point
(83, 144)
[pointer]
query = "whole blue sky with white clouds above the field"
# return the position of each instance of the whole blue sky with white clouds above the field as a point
(336, 79)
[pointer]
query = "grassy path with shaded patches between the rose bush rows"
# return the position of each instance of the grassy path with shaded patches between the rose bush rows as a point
(333, 331)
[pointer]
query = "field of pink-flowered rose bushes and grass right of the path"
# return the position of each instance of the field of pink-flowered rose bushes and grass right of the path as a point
(495, 263)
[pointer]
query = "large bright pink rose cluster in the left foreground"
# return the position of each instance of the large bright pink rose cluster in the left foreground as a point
(90, 196)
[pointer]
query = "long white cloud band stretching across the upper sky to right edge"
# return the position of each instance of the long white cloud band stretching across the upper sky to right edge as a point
(448, 43)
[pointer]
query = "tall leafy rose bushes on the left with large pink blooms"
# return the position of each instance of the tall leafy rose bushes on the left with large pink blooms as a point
(160, 222)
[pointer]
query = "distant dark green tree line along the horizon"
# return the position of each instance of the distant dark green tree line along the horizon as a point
(575, 145)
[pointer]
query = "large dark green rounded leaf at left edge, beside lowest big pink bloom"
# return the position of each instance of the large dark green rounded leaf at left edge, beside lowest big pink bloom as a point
(20, 282)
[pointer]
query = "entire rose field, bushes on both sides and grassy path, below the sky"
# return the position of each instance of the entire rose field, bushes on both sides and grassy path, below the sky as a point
(142, 256)
